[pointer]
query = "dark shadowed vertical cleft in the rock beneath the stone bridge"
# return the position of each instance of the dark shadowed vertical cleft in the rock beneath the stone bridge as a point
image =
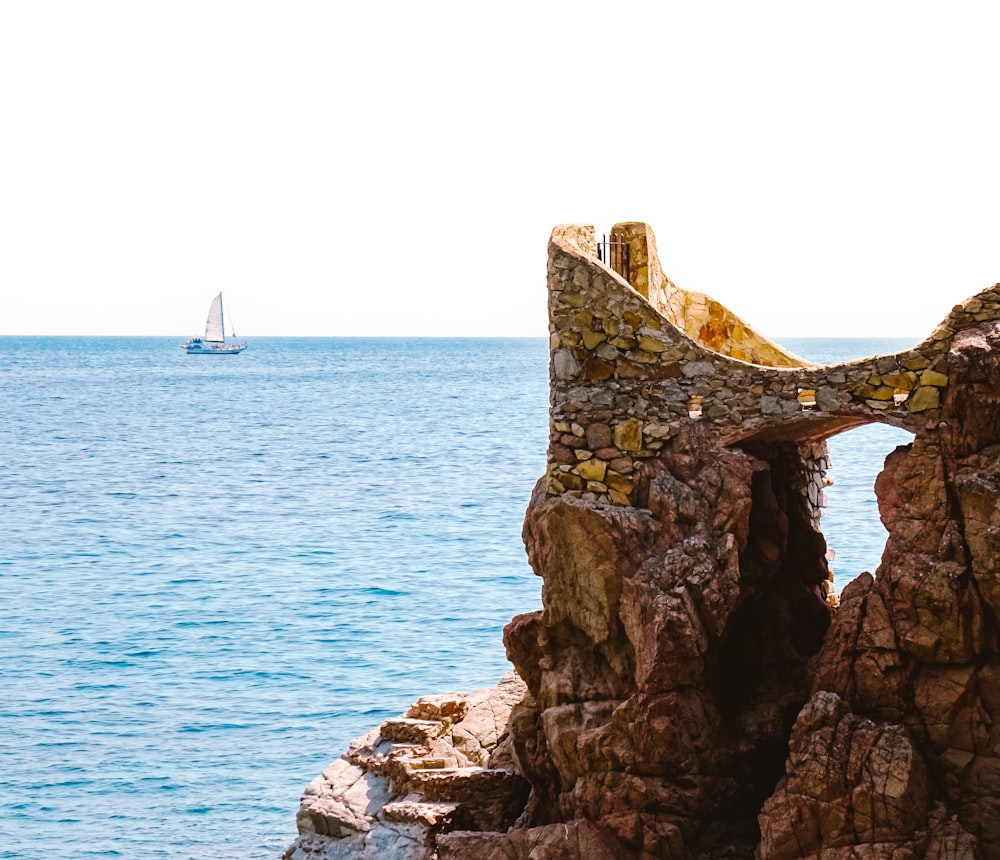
(761, 679)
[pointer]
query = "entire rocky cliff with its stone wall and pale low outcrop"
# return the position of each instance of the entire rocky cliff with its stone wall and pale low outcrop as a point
(691, 689)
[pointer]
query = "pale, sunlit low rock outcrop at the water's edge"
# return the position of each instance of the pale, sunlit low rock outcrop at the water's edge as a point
(443, 764)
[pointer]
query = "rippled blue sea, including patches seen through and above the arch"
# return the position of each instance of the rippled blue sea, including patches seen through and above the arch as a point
(216, 571)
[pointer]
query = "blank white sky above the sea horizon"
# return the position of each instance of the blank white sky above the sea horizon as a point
(395, 168)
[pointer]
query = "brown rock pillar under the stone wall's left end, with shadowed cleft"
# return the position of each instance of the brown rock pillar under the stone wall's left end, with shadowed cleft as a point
(671, 658)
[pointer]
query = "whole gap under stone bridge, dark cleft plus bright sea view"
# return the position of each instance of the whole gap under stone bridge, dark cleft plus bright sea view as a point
(762, 676)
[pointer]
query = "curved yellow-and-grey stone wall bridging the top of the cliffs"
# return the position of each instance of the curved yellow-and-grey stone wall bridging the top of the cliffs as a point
(633, 363)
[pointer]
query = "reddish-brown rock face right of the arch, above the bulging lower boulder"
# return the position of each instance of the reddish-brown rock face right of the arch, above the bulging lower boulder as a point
(916, 647)
